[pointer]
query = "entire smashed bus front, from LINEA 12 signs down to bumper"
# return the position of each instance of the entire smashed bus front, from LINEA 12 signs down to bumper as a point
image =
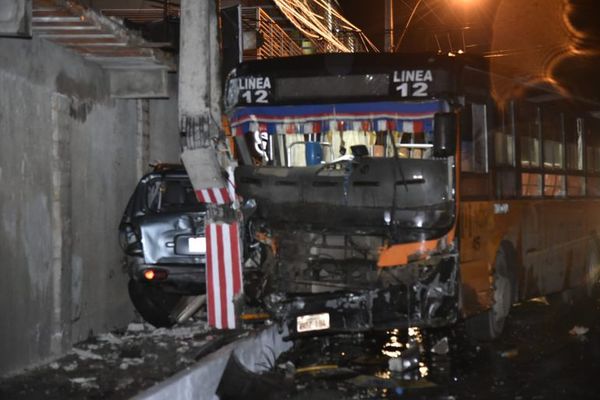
(347, 178)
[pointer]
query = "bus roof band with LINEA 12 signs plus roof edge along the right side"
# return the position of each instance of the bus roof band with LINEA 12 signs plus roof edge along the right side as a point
(360, 77)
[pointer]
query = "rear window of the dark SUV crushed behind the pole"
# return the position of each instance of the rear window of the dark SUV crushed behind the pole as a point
(171, 194)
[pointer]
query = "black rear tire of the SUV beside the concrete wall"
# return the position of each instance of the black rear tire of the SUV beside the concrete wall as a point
(154, 305)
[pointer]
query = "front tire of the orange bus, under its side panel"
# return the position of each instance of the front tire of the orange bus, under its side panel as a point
(489, 325)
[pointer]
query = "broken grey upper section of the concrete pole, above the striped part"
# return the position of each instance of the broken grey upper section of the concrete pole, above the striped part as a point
(200, 92)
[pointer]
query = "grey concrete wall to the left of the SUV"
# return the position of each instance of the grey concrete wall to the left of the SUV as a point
(70, 157)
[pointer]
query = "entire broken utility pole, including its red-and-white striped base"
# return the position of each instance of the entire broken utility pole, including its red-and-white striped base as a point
(206, 157)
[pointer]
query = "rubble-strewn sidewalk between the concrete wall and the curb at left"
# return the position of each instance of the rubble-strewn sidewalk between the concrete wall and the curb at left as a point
(116, 365)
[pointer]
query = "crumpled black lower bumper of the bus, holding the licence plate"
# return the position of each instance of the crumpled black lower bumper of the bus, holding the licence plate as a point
(430, 300)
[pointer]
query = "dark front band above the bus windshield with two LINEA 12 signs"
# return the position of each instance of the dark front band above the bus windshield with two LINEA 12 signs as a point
(344, 77)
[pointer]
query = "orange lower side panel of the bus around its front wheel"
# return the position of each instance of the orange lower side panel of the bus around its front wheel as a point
(552, 241)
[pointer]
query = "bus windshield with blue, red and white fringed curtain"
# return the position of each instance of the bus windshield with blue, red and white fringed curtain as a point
(305, 135)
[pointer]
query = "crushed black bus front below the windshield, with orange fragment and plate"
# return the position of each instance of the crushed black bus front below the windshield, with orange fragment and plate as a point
(328, 230)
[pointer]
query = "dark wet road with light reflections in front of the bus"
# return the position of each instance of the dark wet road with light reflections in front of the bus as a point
(547, 352)
